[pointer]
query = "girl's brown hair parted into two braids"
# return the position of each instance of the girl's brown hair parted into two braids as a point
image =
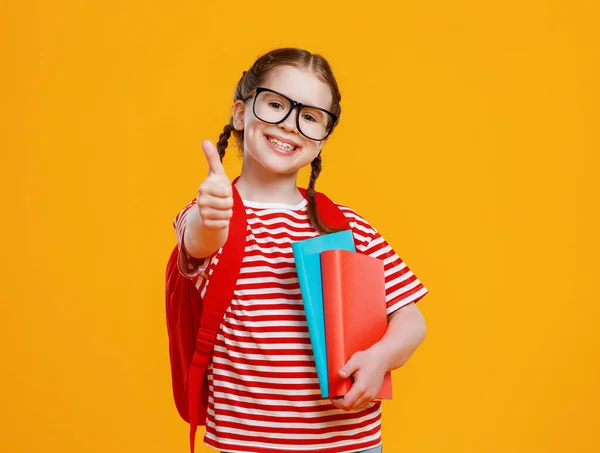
(255, 76)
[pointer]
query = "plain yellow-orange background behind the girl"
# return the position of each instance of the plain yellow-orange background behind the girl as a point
(469, 138)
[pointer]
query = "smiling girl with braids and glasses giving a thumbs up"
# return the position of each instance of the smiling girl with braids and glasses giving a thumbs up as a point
(264, 393)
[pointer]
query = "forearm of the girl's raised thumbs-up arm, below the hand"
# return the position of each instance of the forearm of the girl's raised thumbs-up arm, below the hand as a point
(200, 241)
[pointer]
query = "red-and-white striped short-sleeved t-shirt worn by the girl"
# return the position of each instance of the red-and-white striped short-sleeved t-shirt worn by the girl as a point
(263, 389)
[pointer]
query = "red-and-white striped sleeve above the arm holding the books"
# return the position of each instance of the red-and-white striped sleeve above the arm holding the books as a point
(401, 285)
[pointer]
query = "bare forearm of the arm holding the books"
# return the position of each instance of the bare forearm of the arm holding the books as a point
(405, 332)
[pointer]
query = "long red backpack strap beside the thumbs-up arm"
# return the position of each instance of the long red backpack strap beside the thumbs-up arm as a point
(219, 294)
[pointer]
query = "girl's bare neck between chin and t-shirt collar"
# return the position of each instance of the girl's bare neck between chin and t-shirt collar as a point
(262, 186)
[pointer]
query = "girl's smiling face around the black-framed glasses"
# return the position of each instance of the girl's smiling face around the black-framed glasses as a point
(301, 86)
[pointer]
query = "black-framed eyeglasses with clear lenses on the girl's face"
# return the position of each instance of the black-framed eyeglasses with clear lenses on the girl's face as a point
(273, 108)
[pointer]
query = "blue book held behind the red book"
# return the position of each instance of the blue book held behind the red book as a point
(307, 254)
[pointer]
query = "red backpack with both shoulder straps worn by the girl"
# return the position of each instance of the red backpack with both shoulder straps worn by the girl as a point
(193, 322)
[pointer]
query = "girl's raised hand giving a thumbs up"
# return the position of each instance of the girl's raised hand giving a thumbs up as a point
(215, 196)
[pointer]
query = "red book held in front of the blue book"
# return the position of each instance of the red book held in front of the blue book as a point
(354, 308)
